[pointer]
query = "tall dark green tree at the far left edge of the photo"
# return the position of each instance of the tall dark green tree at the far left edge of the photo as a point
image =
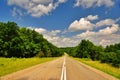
(7, 33)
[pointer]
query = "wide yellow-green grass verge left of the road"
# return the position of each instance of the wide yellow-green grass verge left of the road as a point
(9, 65)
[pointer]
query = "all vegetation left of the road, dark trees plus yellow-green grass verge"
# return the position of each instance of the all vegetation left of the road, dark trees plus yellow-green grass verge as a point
(19, 46)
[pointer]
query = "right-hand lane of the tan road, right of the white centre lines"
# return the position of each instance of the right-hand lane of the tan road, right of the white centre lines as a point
(79, 71)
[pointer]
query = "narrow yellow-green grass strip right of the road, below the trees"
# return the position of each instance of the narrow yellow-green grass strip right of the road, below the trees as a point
(101, 66)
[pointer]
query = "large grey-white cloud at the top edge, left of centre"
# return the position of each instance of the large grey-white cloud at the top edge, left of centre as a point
(36, 8)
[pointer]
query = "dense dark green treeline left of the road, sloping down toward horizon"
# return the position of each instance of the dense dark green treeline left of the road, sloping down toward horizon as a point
(22, 42)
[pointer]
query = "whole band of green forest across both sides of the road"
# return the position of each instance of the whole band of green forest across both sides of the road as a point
(21, 42)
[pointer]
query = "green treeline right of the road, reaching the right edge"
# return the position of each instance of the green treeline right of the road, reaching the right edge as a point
(86, 49)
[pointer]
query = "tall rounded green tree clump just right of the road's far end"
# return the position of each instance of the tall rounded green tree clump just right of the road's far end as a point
(86, 49)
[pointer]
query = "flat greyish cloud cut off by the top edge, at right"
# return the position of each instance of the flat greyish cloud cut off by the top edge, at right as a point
(93, 3)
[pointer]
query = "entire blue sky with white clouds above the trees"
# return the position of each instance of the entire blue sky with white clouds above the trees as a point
(65, 23)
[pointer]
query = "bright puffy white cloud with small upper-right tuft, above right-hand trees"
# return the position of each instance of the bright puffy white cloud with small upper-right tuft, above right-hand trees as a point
(83, 23)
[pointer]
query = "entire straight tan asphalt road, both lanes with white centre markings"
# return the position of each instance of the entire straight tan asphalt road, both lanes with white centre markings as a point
(64, 67)
